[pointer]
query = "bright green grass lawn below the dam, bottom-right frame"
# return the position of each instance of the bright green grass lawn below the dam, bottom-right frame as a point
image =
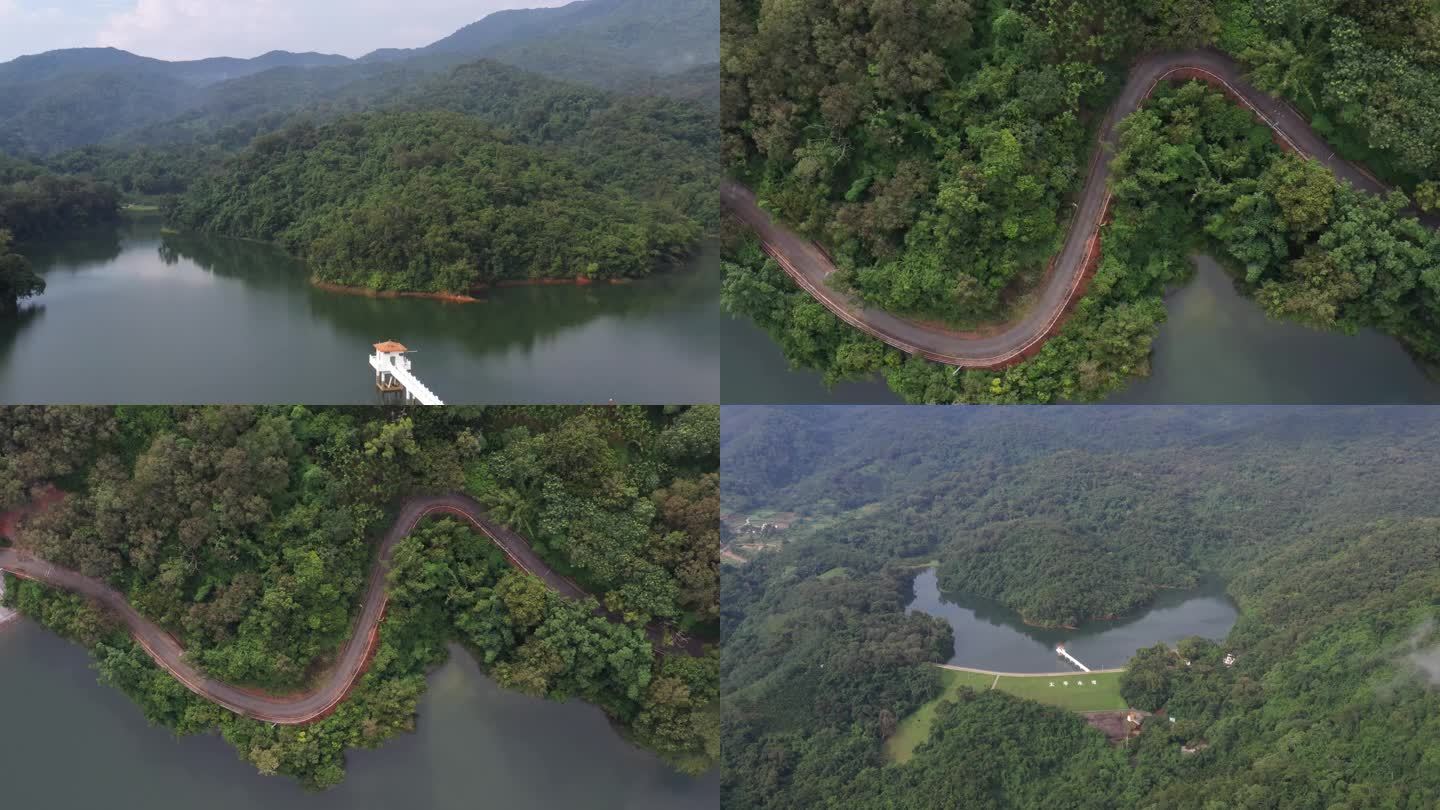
(1075, 693)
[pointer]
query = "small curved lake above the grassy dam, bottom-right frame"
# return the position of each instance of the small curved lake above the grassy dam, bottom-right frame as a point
(991, 636)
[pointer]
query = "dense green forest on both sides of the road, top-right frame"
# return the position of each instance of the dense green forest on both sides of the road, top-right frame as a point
(934, 149)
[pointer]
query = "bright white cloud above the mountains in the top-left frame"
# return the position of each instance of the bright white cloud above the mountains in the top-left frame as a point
(195, 30)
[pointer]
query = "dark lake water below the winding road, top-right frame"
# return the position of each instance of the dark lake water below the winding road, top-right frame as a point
(1215, 347)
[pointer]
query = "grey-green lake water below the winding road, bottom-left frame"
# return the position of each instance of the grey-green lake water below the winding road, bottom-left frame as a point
(73, 743)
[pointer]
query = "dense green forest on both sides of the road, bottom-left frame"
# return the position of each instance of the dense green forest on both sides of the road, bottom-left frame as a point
(250, 534)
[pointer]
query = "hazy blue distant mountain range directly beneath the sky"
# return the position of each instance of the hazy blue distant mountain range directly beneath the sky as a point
(60, 100)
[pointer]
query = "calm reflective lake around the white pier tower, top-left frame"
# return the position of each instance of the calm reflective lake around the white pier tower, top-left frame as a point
(135, 315)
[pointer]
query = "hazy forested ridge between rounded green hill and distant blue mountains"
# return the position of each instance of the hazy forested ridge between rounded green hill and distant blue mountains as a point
(657, 148)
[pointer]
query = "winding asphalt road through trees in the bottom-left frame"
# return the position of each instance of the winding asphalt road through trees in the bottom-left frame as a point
(355, 655)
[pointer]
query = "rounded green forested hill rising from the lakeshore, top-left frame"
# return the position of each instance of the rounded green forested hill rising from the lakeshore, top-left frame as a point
(434, 202)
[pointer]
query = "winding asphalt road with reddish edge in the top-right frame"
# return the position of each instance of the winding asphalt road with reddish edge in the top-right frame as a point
(810, 267)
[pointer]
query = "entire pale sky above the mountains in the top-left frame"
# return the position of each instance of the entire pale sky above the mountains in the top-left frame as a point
(195, 30)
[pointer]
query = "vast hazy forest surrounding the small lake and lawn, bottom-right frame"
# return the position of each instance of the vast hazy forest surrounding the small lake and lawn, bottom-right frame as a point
(1320, 521)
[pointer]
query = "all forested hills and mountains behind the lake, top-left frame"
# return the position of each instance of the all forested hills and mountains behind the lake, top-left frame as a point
(438, 169)
